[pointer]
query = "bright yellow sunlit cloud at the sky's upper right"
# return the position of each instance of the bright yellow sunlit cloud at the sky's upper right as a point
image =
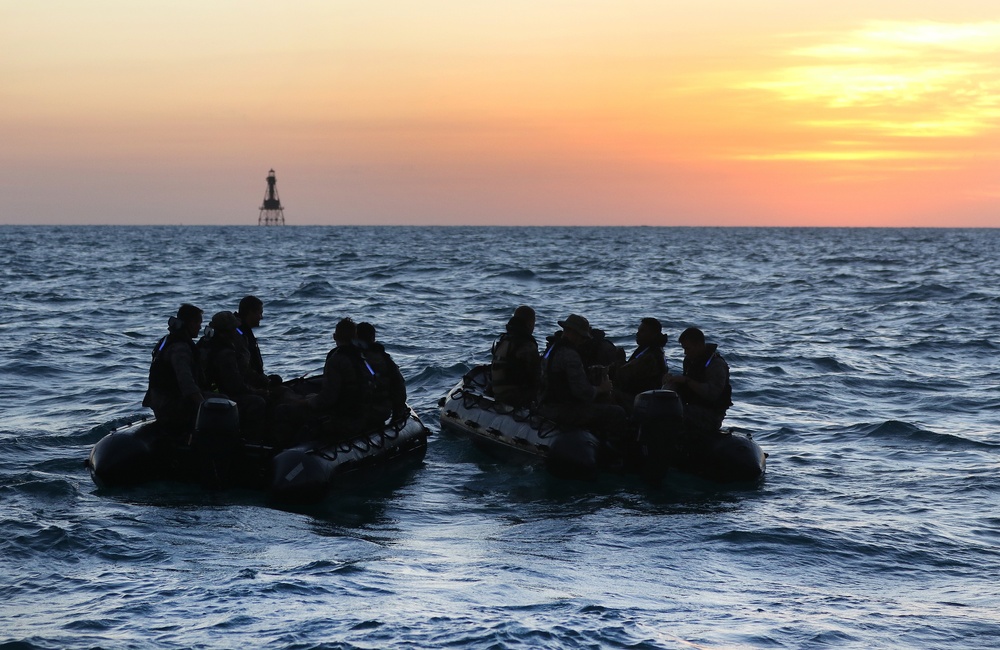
(890, 82)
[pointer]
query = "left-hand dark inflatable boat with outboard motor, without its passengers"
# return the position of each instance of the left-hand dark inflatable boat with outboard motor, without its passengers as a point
(215, 455)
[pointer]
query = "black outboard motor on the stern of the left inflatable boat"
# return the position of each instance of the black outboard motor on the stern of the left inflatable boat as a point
(216, 440)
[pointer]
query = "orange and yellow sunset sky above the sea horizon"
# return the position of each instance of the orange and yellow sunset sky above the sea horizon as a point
(464, 112)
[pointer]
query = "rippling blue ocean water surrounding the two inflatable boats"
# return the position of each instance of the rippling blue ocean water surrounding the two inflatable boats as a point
(864, 362)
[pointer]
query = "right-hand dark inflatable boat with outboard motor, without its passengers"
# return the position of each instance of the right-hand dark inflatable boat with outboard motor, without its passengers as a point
(653, 443)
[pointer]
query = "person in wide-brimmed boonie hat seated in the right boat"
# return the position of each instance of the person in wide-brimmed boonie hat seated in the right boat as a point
(567, 395)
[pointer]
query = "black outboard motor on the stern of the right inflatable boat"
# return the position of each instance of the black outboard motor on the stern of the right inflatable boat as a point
(659, 415)
